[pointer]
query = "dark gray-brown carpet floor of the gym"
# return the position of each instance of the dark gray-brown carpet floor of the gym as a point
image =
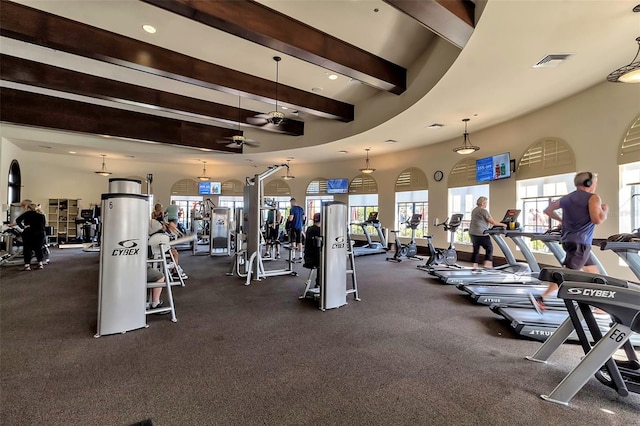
(411, 352)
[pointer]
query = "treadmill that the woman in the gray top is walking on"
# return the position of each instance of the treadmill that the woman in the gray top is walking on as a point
(513, 272)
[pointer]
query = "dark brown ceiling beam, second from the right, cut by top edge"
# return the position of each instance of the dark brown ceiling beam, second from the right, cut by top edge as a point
(257, 23)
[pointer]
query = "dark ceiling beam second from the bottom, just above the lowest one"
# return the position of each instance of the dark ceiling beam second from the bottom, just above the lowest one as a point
(32, 73)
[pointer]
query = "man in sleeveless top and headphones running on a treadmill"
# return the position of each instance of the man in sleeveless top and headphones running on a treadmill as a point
(581, 210)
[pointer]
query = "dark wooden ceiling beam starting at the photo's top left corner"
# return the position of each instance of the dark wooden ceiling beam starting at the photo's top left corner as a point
(44, 29)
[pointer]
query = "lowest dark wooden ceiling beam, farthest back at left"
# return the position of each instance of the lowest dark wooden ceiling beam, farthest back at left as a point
(32, 109)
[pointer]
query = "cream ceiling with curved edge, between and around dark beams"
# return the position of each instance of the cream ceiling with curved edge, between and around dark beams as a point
(490, 81)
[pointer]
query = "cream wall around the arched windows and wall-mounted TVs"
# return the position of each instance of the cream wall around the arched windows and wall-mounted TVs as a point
(592, 122)
